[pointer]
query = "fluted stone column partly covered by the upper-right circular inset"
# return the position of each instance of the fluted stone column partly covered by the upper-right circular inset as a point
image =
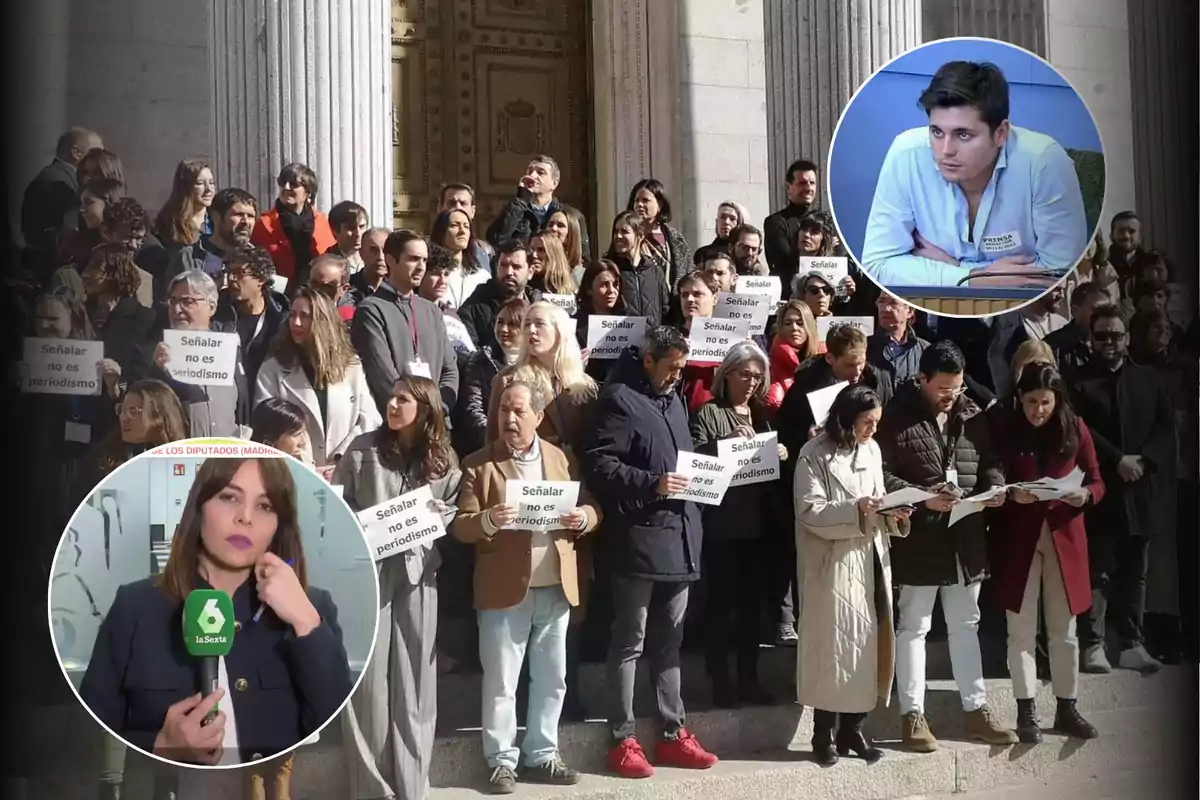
(818, 56)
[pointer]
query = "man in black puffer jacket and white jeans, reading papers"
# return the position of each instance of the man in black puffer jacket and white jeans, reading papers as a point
(933, 437)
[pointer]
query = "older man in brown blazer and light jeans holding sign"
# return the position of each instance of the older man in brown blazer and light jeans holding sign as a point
(523, 507)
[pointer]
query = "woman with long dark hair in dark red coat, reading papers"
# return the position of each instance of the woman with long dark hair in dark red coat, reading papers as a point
(1040, 549)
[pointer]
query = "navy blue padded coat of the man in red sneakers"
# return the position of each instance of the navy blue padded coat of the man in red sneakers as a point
(635, 440)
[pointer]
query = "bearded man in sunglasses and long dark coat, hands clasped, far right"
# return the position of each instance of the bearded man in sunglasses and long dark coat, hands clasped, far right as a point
(1129, 410)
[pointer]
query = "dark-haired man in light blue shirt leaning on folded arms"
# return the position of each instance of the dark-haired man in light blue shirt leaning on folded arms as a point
(973, 199)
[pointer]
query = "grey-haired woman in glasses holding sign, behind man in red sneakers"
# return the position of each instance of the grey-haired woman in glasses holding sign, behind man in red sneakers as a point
(735, 560)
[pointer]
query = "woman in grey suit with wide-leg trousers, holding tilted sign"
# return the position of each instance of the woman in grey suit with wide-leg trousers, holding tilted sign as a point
(389, 725)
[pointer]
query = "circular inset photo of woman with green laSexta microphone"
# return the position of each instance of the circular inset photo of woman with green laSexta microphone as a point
(213, 603)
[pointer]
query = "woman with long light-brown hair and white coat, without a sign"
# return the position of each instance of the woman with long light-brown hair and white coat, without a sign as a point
(314, 365)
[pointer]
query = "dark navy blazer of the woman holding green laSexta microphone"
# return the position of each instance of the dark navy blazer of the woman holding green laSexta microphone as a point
(283, 688)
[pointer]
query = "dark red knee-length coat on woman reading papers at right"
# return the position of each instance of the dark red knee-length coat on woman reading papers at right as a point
(1017, 530)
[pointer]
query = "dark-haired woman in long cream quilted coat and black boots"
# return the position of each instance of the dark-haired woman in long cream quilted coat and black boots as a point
(845, 659)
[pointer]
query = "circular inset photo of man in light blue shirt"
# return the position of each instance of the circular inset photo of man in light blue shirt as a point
(967, 177)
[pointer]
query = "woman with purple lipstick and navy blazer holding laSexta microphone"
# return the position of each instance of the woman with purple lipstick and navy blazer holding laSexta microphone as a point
(289, 671)
